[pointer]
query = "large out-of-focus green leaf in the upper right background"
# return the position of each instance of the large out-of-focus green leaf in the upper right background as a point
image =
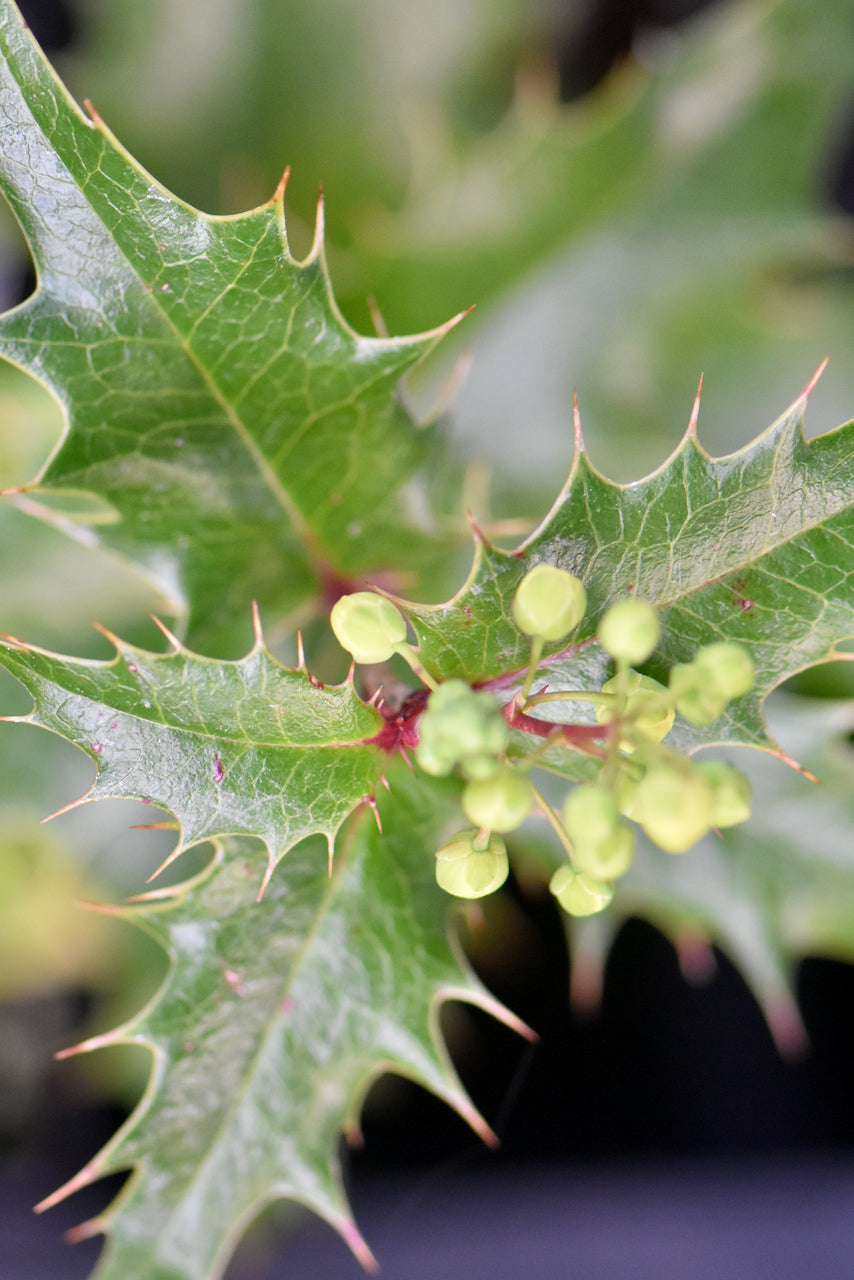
(724, 257)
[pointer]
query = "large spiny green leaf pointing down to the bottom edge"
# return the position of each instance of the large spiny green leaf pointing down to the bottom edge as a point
(273, 1023)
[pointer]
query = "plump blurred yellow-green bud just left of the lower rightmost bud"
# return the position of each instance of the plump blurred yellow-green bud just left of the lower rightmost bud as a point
(674, 806)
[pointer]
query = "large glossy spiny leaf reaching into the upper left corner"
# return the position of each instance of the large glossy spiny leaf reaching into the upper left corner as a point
(227, 431)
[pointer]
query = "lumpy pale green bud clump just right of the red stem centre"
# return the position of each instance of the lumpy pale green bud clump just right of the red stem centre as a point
(459, 726)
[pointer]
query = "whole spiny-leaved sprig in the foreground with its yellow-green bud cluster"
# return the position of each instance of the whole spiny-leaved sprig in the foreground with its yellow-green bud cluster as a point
(238, 444)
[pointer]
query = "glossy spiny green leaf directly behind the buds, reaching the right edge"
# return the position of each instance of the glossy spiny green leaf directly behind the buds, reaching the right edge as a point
(756, 548)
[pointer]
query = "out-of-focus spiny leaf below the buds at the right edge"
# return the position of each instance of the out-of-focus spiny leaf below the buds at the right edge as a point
(780, 886)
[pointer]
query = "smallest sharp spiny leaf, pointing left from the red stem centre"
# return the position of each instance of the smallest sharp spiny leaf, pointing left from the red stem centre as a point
(229, 748)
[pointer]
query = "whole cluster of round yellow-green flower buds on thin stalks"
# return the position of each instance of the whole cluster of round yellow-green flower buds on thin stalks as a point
(641, 781)
